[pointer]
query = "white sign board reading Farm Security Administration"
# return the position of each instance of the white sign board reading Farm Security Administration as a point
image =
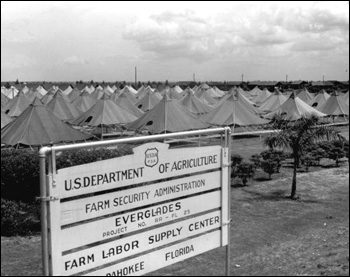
(97, 206)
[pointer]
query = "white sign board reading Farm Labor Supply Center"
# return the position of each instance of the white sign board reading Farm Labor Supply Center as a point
(113, 251)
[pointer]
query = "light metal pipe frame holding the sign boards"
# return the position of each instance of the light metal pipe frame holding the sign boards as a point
(50, 193)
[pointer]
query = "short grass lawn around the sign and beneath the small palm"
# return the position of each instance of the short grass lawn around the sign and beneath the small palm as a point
(270, 234)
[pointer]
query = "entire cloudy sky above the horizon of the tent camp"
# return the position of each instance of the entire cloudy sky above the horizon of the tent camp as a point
(174, 41)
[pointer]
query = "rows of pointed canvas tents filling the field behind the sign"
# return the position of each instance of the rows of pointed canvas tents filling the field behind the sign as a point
(38, 118)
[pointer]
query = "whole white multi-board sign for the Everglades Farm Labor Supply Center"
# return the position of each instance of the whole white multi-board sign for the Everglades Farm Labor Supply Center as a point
(135, 214)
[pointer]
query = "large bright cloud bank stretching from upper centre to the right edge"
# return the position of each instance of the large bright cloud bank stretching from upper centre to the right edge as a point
(229, 34)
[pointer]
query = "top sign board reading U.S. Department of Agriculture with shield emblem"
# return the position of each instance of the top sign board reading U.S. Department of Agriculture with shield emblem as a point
(130, 170)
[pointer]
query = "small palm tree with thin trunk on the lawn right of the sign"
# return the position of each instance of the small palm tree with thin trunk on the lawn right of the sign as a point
(296, 137)
